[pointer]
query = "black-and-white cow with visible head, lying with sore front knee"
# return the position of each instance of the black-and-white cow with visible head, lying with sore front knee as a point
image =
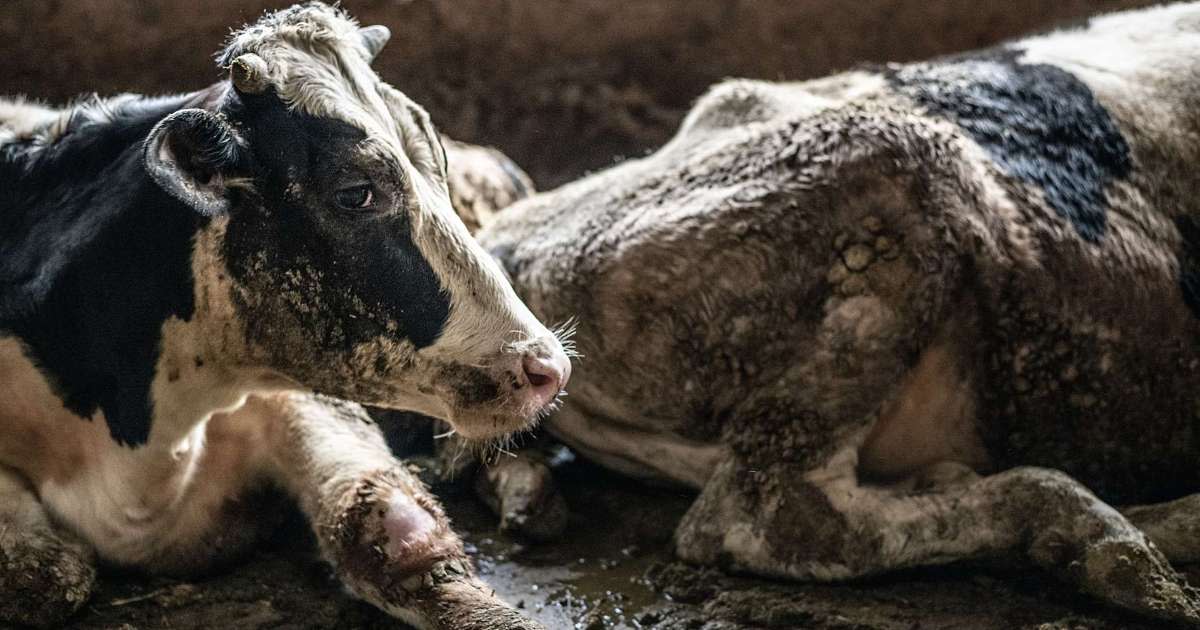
(179, 275)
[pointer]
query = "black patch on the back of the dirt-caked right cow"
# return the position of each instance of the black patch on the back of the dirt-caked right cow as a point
(1041, 124)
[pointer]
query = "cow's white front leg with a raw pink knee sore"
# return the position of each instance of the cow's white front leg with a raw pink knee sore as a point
(387, 537)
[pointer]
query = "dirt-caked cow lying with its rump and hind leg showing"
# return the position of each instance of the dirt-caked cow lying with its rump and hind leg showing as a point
(907, 316)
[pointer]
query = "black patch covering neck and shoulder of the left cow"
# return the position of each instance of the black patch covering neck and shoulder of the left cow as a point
(94, 259)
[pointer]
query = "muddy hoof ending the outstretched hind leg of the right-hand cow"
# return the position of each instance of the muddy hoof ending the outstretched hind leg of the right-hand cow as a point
(1136, 577)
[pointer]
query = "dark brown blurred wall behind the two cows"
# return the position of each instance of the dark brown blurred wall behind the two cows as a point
(561, 86)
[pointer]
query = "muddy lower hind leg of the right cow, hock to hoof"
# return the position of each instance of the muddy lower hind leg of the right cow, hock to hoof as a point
(824, 525)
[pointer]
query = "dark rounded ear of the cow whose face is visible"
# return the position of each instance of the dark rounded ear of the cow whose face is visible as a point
(193, 155)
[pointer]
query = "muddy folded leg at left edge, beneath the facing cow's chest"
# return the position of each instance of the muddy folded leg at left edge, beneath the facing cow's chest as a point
(46, 574)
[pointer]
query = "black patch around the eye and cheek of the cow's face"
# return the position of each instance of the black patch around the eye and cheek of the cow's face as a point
(373, 274)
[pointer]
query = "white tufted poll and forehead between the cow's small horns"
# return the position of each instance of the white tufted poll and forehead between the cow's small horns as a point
(319, 65)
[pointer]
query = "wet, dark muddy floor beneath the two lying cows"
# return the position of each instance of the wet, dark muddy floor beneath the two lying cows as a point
(615, 571)
